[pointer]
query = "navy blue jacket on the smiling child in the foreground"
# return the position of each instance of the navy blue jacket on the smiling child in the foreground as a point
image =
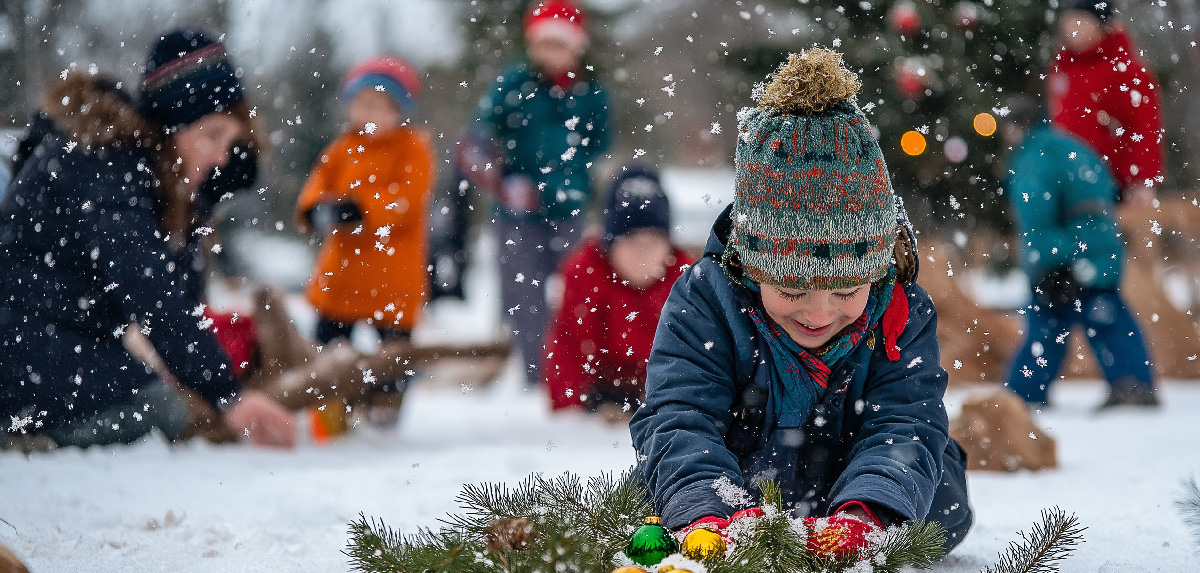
(879, 436)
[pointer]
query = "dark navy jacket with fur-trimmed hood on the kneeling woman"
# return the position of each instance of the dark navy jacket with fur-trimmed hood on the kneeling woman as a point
(83, 255)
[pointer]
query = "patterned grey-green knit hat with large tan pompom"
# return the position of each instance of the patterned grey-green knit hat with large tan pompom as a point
(814, 208)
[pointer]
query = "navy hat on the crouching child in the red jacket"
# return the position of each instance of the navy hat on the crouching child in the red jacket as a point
(637, 202)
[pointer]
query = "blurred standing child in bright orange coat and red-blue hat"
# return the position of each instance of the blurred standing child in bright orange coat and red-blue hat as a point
(368, 198)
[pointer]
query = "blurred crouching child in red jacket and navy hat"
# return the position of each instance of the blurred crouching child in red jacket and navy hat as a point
(614, 291)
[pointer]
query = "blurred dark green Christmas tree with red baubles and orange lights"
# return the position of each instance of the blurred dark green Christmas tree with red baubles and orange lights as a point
(934, 75)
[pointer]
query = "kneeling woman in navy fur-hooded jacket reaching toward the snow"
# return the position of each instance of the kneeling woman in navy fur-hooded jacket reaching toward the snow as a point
(94, 234)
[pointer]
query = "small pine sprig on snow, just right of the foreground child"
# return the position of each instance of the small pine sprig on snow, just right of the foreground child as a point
(1045, 547)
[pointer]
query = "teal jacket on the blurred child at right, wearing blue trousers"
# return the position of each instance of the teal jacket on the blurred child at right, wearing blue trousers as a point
(1064, 196)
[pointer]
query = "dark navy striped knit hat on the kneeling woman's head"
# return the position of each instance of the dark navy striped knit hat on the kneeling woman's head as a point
(188, 76)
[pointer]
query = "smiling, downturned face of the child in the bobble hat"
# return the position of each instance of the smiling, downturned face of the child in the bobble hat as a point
(814, 317)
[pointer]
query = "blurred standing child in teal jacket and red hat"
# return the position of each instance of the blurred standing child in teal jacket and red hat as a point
(536, 135)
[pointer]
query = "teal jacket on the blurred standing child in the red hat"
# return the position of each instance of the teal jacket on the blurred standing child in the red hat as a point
(547, 134)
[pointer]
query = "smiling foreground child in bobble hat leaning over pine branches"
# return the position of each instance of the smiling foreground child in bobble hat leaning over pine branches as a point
(800, 348)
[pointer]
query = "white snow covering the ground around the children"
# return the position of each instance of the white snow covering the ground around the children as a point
(200, 508)
